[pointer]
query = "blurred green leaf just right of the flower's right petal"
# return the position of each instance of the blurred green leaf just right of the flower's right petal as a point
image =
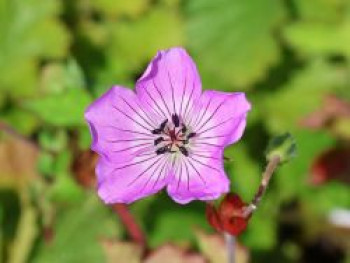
(301, 96)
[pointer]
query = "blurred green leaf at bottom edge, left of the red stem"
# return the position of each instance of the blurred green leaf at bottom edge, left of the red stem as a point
(77, 234)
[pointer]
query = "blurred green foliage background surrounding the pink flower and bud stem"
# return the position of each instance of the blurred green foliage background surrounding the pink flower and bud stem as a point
(291, 57)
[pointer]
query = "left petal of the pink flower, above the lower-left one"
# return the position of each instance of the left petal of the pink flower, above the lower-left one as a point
(120, 128)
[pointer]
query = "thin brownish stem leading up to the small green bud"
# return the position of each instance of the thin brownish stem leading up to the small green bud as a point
(270, 168)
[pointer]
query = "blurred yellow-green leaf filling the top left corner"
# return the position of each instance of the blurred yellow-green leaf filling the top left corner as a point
(30, 31)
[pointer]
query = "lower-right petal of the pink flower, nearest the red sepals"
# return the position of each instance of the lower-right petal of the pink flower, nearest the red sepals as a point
(198, 177)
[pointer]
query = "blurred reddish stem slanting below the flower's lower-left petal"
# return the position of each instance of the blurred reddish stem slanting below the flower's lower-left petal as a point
(128, 220)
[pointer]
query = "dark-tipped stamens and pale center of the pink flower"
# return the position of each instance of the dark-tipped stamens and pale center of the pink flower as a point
(173, 137)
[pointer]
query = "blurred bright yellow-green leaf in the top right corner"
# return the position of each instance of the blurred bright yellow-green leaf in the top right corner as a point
(322, 29)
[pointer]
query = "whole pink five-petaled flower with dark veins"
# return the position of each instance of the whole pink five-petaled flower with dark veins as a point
(166, 134)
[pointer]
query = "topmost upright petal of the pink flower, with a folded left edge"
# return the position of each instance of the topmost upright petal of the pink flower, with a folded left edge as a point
(170, 84)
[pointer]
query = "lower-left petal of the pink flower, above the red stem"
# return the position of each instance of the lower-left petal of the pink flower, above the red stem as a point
(130, 181)
